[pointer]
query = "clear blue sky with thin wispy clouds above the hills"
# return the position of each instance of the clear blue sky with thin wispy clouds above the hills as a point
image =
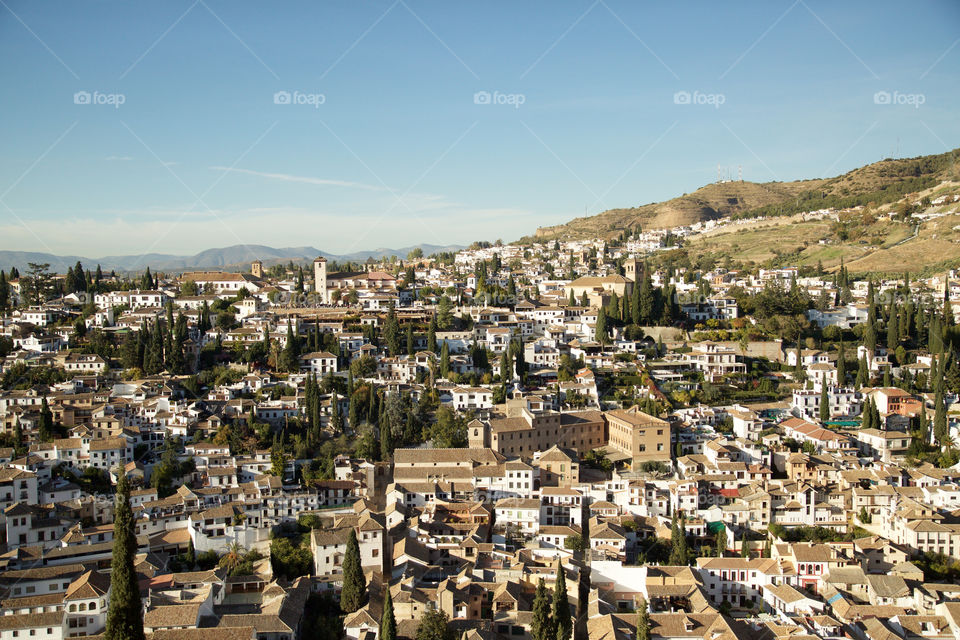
(388, 138)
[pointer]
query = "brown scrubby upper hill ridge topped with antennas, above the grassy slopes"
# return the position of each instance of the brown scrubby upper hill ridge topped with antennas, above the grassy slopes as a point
(879, 183)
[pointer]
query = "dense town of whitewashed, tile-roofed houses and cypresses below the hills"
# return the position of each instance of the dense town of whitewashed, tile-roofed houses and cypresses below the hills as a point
(611, 439)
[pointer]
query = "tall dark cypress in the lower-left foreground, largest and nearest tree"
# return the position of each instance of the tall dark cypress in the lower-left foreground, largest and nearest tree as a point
(125, 615)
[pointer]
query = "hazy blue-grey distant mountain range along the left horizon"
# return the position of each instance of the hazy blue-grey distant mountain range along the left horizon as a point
(227, 258)
